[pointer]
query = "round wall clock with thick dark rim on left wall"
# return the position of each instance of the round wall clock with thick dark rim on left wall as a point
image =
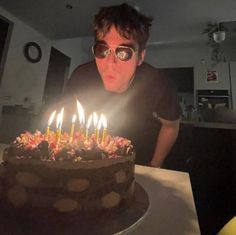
(32, 52)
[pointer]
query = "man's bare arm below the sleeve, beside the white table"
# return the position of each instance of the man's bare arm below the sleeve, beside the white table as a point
(165, 140)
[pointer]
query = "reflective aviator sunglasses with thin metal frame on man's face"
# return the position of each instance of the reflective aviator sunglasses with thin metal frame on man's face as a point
(123, 53)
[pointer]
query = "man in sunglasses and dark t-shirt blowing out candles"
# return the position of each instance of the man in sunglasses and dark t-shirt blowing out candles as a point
(140, 103)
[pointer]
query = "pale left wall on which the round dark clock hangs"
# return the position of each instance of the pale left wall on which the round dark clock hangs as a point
(21, 78)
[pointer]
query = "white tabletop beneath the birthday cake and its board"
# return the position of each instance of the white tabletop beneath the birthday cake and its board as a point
(172, 209)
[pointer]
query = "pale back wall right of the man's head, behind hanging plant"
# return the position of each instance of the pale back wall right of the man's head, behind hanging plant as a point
(186, 54)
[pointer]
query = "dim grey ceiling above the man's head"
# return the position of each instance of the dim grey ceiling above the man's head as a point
(174, 20)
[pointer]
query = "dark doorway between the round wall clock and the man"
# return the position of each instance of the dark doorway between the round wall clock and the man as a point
(58, 69)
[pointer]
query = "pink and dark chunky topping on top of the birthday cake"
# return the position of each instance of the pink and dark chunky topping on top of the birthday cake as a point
(35, 146)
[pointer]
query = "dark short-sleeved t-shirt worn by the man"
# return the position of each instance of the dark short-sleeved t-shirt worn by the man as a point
(132, 114)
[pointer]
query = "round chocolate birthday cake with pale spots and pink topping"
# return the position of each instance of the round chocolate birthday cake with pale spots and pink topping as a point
(44, 179)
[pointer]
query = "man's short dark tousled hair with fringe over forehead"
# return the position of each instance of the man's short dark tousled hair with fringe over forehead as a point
(127, 20)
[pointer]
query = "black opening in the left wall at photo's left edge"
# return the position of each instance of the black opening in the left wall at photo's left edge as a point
(5, 33)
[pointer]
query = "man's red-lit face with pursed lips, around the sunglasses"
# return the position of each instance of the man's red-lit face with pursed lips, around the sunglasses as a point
(117, 75)
